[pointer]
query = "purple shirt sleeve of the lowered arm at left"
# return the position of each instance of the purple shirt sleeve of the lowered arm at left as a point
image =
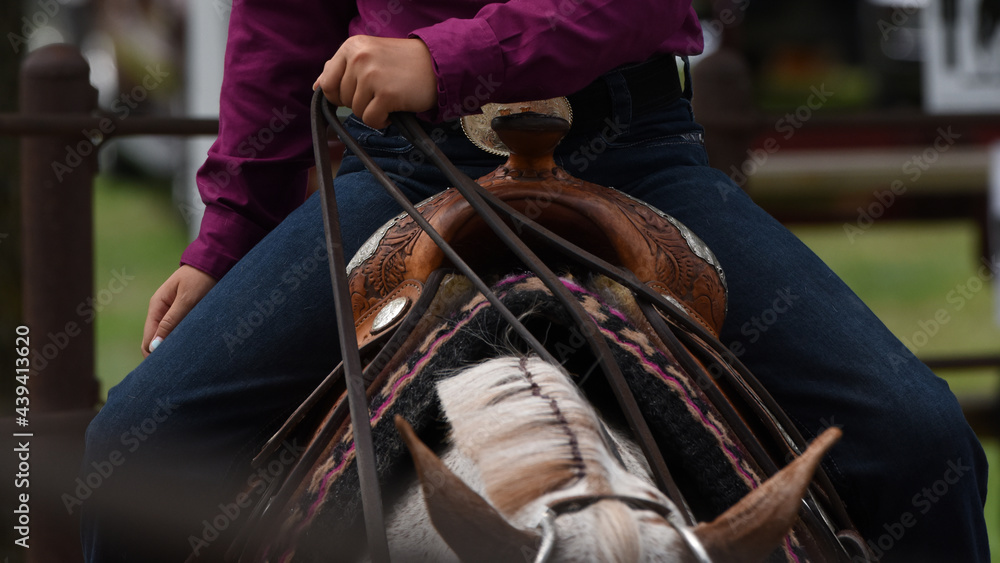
(256, 171)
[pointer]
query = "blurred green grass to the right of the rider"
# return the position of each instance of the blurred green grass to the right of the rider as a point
(907, 273)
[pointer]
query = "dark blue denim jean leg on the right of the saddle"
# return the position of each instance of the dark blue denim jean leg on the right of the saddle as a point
(817, 348)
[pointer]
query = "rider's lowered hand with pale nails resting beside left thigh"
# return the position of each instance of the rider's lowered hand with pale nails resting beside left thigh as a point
(172, 302)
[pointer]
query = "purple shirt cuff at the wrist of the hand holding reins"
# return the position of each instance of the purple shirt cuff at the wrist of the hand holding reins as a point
(467, 58)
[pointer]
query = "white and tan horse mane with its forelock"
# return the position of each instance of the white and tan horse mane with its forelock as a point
(535, 439)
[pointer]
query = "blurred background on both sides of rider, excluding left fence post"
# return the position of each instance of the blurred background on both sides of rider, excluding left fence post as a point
(867, 126)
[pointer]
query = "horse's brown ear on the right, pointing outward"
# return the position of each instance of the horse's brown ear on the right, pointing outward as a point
(752, 528)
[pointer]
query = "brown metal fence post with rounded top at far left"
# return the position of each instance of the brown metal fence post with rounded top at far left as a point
(56, 201)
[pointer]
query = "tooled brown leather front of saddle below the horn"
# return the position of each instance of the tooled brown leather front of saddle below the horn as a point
(392, 267)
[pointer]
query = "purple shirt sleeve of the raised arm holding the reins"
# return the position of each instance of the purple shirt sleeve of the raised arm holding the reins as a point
(536, 49)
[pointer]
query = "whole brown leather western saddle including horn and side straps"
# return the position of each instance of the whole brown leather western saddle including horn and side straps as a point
(397, 275)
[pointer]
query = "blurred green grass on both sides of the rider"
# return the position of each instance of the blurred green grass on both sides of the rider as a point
(905, 272)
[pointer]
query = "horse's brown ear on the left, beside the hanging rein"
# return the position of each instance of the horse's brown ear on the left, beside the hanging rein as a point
(471, 527)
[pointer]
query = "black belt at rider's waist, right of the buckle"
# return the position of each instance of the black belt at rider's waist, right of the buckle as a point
(652, 85)
